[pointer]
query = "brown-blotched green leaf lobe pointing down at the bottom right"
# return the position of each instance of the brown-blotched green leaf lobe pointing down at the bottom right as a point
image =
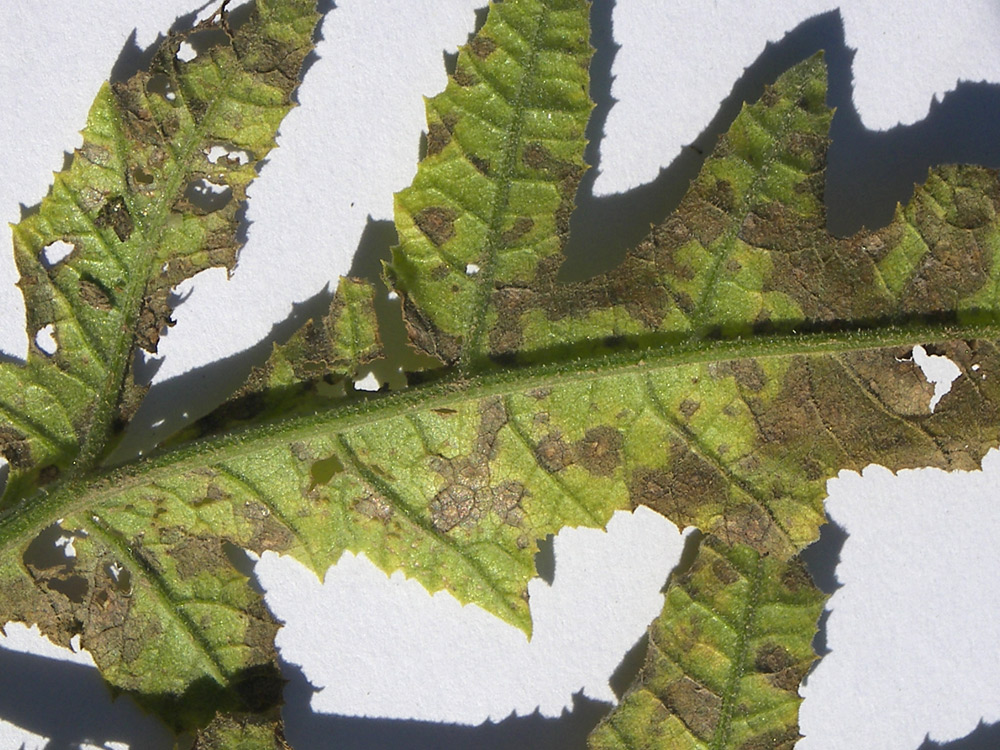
(724, 660)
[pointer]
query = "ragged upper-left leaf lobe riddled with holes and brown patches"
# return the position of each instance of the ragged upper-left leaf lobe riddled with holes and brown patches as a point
(144, 205)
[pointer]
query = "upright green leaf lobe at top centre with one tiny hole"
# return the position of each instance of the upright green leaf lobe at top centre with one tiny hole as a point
(490, 205)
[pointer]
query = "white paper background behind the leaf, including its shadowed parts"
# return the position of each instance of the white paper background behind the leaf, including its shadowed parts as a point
(912, 633)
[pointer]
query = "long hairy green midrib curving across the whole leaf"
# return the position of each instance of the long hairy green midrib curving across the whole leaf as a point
(29, 517)
